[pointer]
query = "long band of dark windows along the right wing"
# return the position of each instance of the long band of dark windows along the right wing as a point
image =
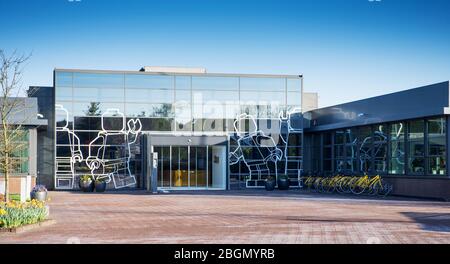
(415, 147)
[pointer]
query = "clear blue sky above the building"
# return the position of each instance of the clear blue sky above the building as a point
(346, 49)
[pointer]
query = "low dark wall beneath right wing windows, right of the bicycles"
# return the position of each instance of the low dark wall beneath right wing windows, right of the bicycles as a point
(436, 188)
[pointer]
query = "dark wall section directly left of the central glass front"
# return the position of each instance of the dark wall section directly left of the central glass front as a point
(45, 135)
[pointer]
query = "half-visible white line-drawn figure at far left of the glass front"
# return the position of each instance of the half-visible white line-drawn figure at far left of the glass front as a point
(65, 166)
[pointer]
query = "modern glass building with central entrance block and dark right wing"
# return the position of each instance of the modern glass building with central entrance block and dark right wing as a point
(230, 131)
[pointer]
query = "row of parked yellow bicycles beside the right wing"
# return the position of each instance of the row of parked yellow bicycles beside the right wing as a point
(357, 185)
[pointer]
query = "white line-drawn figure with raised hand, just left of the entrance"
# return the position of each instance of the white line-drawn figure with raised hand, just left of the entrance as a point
(110, 152)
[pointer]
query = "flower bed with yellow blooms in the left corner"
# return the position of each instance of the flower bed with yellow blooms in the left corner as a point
(15, 214)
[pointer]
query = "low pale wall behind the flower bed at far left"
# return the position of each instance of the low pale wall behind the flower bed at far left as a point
(19, 185)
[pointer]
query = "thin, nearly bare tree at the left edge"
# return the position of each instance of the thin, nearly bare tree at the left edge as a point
(12, 115)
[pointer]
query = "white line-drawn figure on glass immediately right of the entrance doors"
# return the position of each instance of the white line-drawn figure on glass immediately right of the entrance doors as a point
(255, 149)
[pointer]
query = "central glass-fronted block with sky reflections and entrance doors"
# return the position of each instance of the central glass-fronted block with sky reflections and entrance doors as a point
(101, 118)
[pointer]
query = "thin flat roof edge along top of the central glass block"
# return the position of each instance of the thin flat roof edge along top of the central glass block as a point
(183, 74)
